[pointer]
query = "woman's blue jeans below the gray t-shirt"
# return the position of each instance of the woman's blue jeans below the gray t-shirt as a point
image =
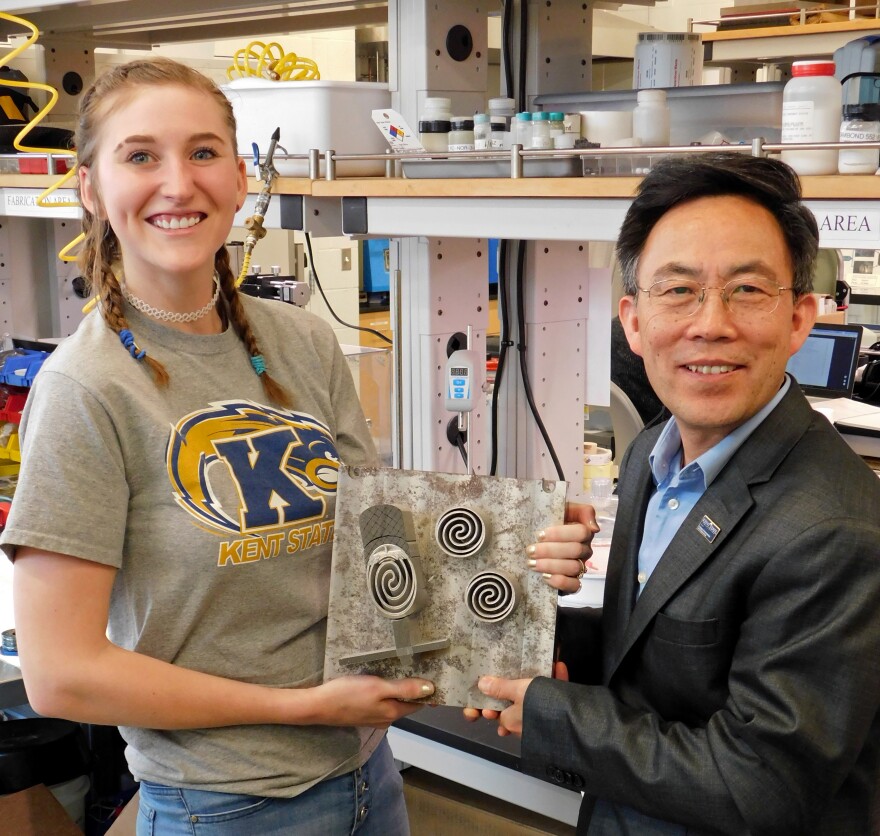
(368, 802)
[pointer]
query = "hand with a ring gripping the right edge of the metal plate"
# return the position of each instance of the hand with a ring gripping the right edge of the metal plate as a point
(562, 553)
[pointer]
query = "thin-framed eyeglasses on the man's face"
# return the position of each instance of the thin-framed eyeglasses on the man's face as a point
(741, 296)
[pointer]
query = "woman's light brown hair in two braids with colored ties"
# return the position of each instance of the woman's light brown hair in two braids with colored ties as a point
(101, 251)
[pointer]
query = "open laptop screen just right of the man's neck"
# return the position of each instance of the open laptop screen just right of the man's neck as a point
(825, 365)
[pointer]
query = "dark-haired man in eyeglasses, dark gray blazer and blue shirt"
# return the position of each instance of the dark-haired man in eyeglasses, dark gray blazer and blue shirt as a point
(732, 684)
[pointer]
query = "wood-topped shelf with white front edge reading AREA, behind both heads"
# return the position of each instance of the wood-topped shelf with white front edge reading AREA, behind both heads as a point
(528, 208)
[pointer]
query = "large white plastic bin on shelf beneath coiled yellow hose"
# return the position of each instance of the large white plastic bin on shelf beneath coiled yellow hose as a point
(327, 115)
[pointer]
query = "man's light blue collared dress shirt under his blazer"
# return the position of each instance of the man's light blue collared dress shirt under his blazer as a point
(679, 489)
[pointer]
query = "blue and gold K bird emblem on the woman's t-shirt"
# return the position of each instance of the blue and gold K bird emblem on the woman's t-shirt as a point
(282, 465)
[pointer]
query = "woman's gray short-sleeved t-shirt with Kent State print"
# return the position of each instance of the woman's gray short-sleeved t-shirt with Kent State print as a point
(218, 510)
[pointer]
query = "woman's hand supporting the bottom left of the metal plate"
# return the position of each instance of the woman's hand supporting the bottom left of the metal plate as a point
(367, 700)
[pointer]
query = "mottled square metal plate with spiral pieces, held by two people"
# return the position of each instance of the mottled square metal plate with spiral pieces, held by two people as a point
(429, 579)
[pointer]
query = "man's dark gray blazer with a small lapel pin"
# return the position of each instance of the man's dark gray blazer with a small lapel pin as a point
(740, 693)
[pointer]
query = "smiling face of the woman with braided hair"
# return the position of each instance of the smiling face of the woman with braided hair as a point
(167, 179)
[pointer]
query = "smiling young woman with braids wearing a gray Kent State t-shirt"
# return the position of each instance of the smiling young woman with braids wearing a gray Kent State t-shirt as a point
(172, 526)
